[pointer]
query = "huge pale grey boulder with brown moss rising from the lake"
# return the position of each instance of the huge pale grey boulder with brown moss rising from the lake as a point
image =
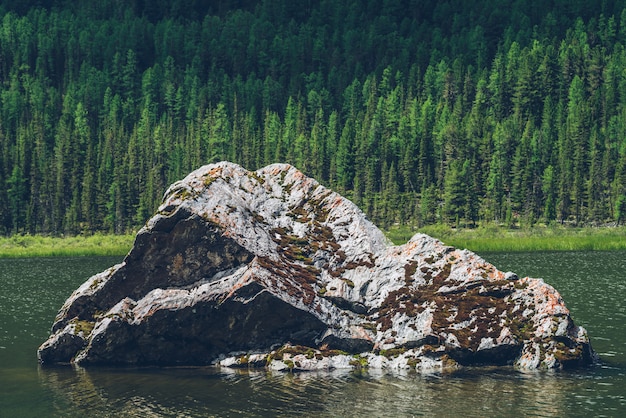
(269, 268)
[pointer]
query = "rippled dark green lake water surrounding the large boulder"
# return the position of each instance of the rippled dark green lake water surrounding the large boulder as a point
(593, 285)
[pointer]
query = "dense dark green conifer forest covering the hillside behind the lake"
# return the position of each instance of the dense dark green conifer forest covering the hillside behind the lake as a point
(419, 111)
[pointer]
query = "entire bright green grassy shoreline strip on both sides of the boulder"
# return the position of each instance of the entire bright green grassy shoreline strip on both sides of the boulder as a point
(482, 239)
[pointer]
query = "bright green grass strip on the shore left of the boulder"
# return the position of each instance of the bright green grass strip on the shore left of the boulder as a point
(21, 246)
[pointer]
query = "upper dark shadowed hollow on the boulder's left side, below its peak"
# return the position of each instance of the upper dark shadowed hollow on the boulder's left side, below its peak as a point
(183, 250)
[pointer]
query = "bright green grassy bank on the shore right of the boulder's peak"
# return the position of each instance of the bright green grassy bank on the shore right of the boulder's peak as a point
(498, 239)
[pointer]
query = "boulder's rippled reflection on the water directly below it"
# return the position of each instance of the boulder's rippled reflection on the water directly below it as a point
(218, 392)
